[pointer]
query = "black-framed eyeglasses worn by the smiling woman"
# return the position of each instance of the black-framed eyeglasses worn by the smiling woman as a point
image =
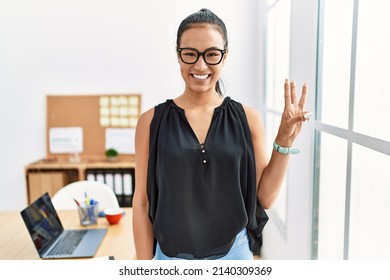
(211, 56)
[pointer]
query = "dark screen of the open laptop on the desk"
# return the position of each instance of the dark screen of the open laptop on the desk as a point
(42, 222)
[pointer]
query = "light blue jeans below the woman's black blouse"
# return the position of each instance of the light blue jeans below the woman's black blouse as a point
(239, 251)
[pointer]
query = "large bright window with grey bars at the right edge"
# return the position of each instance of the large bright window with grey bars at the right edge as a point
(352, 186)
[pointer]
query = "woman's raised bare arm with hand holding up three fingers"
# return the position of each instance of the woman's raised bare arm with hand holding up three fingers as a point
(270, 173)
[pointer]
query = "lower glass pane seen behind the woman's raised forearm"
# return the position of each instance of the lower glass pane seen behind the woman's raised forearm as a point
(280, 205)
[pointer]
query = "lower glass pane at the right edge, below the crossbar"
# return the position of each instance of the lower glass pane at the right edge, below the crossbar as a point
(370, 207)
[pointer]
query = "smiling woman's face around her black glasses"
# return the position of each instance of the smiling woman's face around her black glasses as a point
(201, 77)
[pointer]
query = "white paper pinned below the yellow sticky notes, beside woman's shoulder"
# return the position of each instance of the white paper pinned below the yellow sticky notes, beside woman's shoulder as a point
(121, 139)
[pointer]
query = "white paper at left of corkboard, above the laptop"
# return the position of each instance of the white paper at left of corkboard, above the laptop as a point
(66, 140)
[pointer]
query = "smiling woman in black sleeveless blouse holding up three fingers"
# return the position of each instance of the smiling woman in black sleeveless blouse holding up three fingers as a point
(201, 163)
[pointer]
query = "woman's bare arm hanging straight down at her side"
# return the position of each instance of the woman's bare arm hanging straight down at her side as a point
(142, 227)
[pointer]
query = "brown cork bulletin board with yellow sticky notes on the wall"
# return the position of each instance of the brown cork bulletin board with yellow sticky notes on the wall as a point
(93, 114)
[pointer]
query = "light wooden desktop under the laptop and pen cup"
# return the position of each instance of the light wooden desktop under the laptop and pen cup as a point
(16, 244)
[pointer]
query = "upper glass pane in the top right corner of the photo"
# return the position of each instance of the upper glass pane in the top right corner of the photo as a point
(372, 98)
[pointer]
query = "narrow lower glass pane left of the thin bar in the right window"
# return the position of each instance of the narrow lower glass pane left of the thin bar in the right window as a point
(333, 163)
